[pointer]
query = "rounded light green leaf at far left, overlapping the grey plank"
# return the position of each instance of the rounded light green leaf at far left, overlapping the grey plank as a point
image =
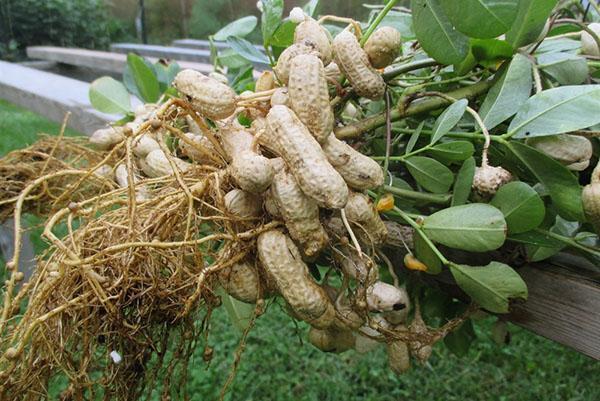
(109, 96)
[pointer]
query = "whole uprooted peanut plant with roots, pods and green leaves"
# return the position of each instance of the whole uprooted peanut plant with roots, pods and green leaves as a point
(333, 182)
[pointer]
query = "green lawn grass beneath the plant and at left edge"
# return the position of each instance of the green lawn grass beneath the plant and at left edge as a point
(277, 366)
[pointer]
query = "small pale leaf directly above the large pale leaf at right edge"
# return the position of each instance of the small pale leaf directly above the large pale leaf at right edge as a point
(565, 68)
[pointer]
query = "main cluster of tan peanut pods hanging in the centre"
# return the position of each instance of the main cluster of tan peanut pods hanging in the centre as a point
(288, 166)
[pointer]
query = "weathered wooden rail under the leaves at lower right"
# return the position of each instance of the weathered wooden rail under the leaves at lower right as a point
(563, 303)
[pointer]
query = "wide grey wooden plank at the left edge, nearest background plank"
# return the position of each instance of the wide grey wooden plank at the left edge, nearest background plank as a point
(52, 96)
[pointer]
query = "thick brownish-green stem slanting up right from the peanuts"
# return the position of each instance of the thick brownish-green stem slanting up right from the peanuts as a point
(354, 130)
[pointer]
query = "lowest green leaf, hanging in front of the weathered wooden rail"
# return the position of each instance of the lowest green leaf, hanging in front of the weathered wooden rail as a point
(491, 286)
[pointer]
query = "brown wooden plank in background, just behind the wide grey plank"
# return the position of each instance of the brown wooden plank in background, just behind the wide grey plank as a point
(99, 60)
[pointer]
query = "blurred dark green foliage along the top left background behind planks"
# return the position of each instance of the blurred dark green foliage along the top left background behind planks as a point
(94, 24)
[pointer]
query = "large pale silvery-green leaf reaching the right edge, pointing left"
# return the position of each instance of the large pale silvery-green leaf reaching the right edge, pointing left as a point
(558, 110)
